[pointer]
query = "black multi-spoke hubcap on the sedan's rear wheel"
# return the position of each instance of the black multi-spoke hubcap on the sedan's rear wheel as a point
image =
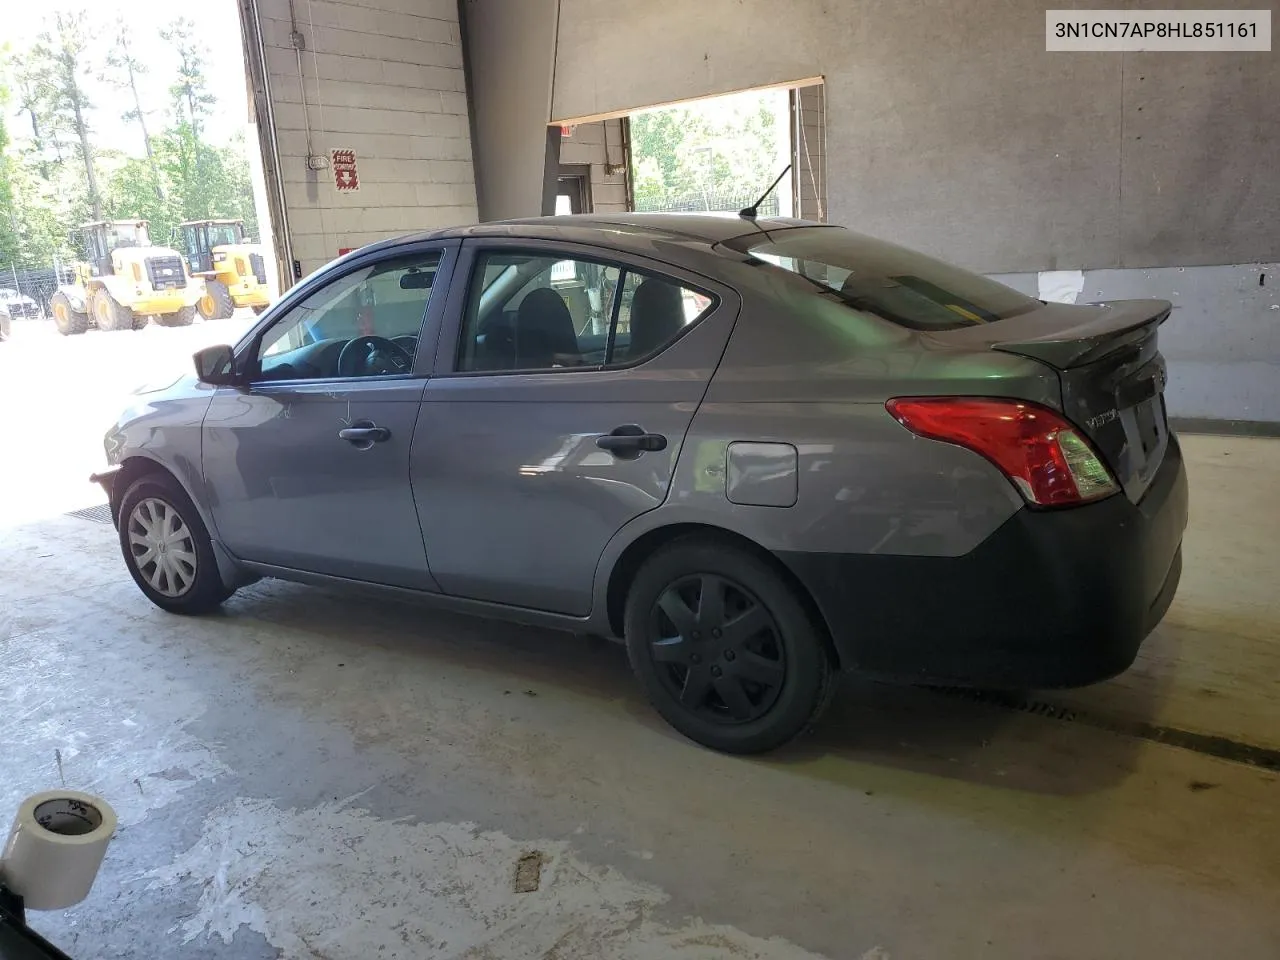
(717, 648)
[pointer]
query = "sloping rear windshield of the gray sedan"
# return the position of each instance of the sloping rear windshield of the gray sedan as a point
(899, 285)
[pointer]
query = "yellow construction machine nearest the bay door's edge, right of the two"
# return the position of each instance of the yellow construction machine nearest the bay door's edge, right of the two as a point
(232, 267)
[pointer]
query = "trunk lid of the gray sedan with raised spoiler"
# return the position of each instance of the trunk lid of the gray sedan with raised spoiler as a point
(1110, 369)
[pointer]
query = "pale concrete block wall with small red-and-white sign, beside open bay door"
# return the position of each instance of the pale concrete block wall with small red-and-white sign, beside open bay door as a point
(383, 79)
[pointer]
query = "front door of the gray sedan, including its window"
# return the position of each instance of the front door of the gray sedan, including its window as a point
(289, 487)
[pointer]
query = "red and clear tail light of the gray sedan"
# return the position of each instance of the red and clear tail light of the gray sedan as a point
(1044, 456)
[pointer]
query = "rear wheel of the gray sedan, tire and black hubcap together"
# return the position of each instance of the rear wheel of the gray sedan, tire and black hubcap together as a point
(775, 670)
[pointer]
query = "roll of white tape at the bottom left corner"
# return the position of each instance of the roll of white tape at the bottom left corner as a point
(56, 848)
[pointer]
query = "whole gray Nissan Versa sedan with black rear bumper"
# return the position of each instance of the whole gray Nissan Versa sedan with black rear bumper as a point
(761, 452)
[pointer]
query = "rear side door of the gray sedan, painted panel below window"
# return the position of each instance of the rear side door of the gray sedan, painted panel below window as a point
(516, 499)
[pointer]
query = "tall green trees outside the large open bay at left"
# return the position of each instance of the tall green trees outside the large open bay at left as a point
(48, 186)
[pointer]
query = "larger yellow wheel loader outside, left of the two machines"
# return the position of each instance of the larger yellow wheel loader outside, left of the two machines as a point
(124, 282)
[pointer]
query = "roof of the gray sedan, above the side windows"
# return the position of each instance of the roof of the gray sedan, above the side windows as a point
(624, 232)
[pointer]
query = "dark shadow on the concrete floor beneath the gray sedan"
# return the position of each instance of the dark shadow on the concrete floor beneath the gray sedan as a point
(881, 725)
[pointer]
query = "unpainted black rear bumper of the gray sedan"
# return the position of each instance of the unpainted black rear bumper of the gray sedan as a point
(1052, 600)
